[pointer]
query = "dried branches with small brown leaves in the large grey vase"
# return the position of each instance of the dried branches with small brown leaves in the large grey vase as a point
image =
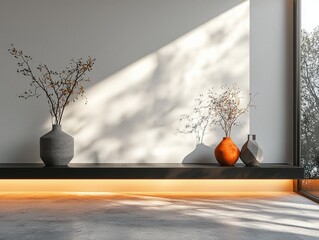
(59, 87)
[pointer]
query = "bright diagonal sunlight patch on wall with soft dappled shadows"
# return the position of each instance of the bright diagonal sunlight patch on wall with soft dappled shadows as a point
(132, 116)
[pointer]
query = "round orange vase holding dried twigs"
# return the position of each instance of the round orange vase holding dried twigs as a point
(226, 152)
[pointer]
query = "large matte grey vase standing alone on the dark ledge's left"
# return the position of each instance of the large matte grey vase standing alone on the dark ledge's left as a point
(56, 147)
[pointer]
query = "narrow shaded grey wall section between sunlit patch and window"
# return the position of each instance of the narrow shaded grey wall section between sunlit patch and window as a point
(271, 75)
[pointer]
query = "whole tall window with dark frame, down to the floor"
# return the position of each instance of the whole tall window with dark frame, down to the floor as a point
(307, 94)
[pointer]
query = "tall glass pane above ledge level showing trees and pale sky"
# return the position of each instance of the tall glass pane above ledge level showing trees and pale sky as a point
(309, 87)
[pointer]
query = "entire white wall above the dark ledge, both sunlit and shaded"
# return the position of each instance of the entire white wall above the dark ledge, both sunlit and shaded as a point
(153, 58)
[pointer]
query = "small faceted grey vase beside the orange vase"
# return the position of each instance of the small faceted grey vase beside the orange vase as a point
(251, 154)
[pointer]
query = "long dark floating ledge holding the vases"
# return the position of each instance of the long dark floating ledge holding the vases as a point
(149, 171)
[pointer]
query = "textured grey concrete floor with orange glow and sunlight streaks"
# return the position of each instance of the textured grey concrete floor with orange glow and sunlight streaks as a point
(288, 216)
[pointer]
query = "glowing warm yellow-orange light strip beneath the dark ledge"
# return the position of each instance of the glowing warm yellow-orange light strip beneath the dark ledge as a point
(146, 186)
